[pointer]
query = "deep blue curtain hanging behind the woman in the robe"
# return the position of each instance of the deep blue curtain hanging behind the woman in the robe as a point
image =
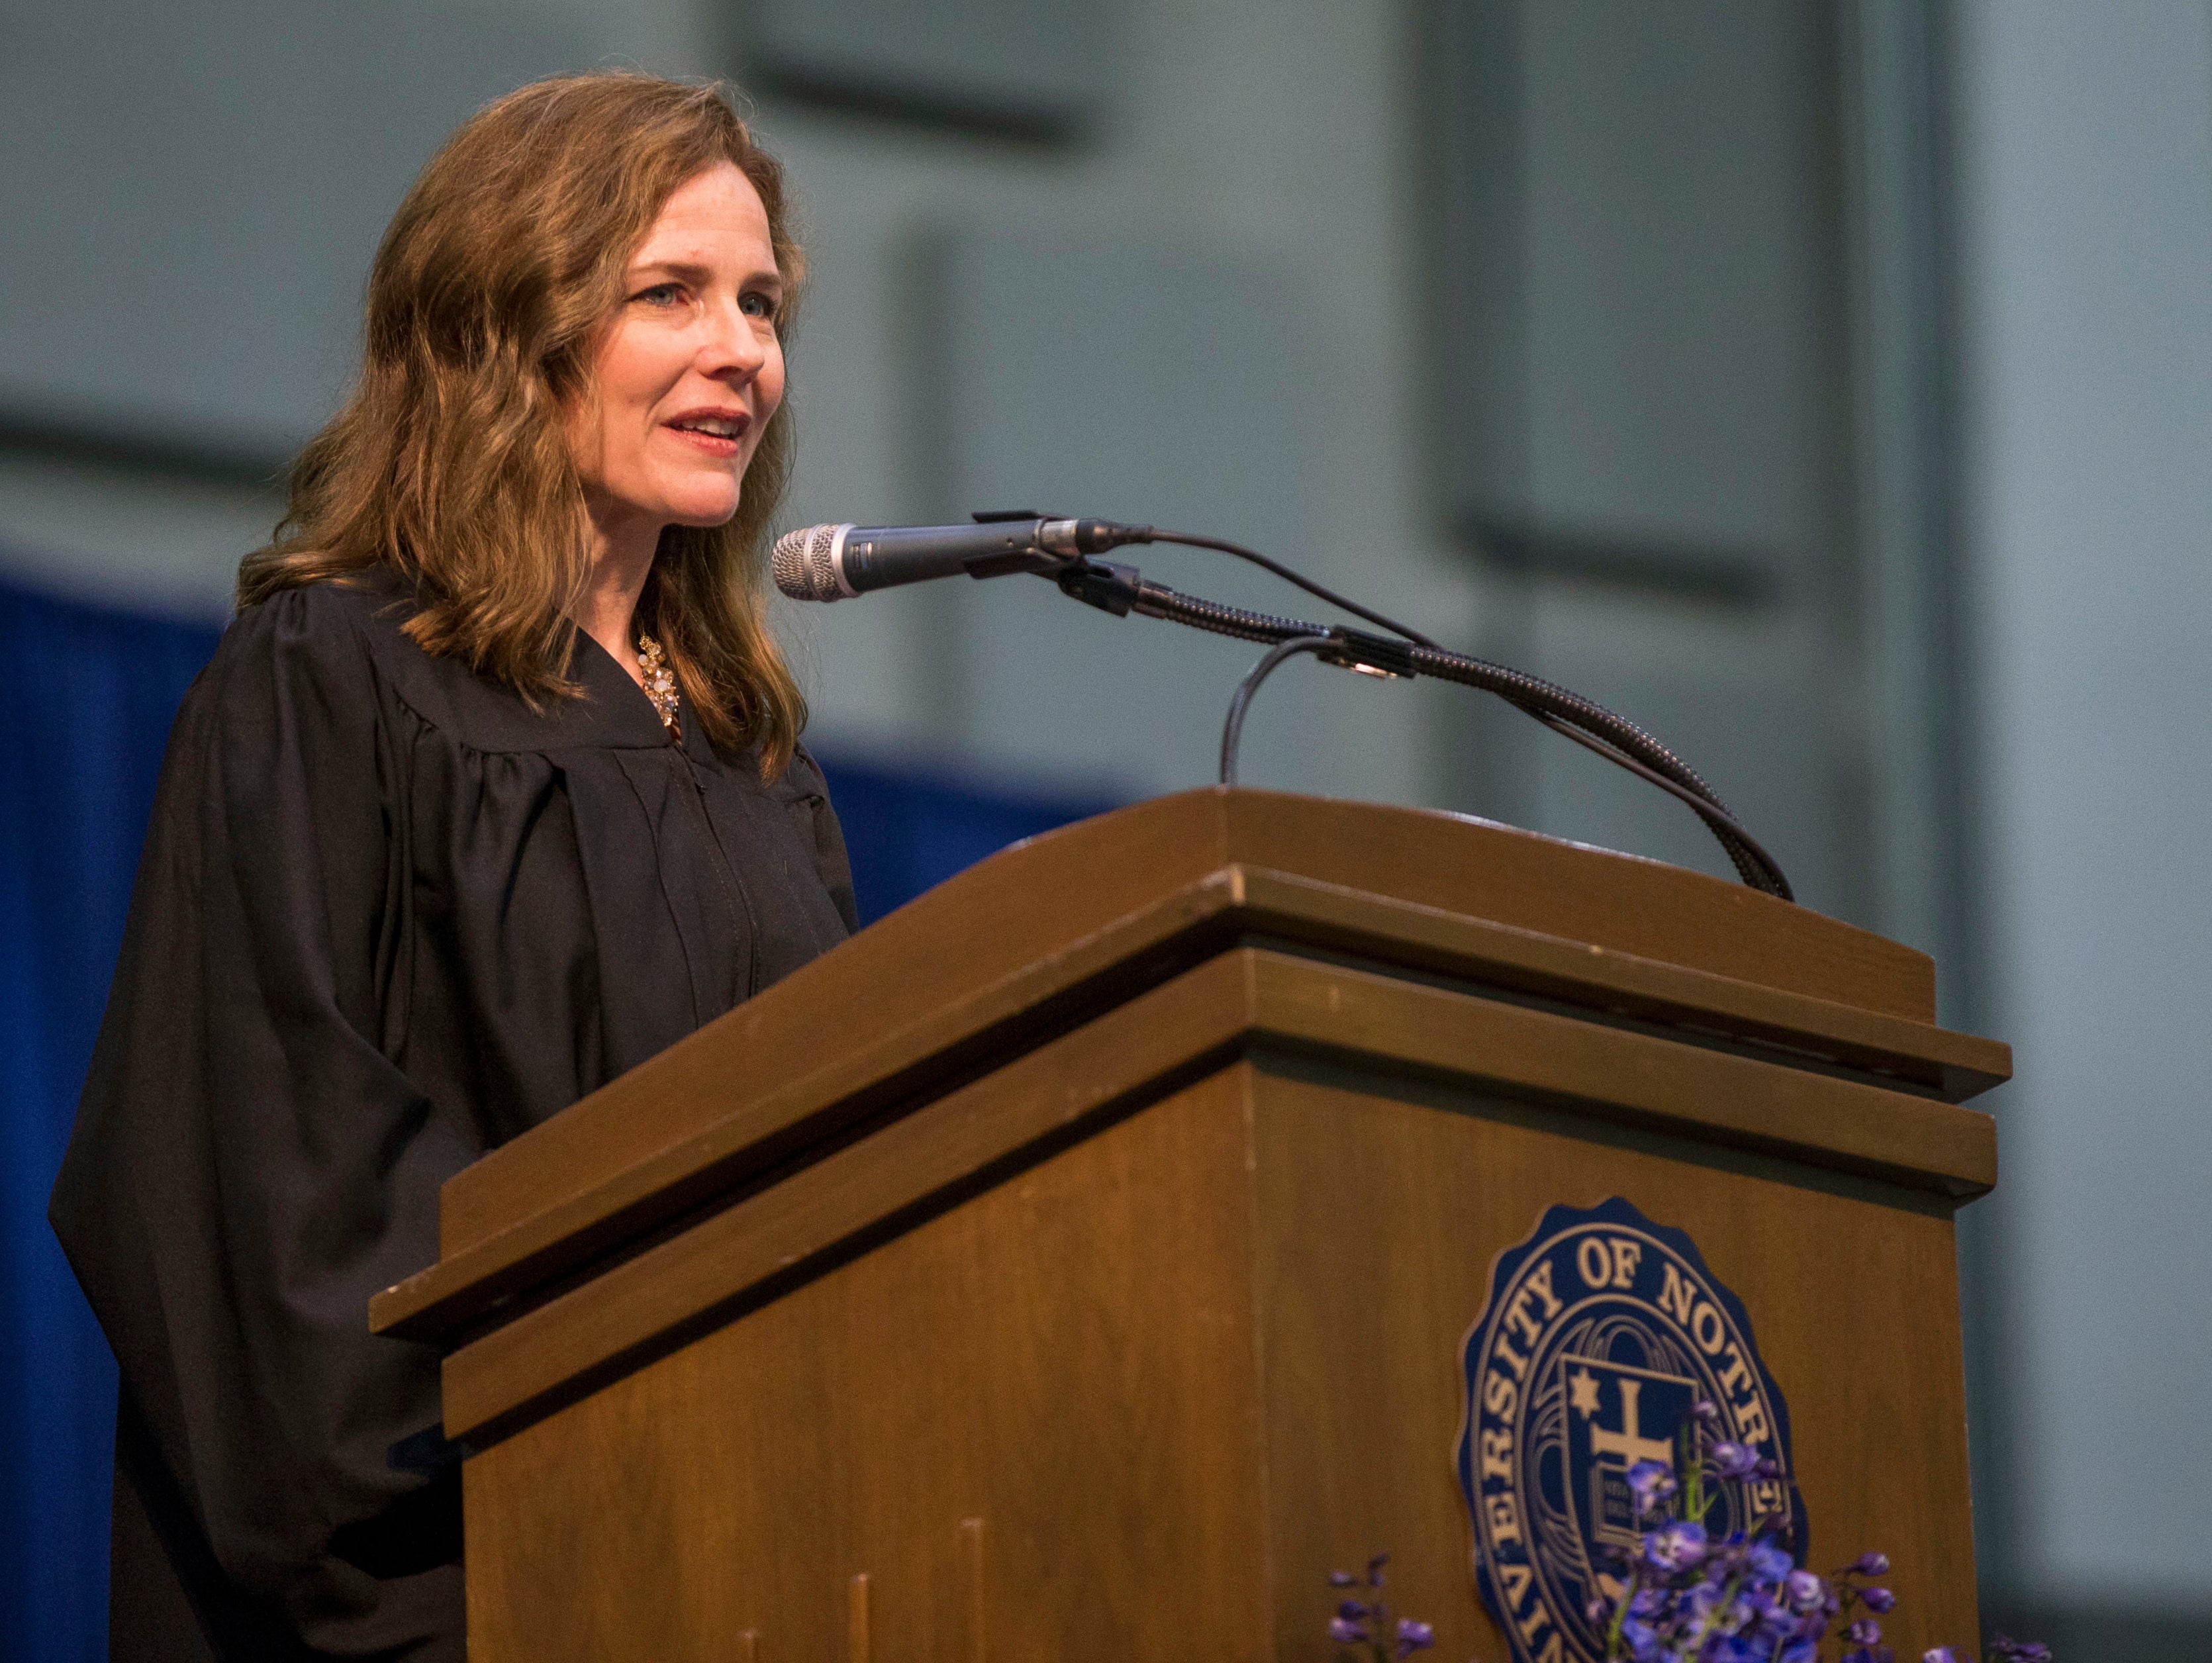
(87, 698)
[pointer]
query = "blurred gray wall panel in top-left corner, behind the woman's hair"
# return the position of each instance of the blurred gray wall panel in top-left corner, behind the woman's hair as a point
(189, 207)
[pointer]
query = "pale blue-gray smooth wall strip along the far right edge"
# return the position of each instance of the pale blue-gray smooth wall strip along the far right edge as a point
(2087, 249)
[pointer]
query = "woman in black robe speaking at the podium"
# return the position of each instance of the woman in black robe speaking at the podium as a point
(492, 793)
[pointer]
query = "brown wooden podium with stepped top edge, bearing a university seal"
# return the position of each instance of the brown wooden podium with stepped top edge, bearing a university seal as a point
(1076, 1264)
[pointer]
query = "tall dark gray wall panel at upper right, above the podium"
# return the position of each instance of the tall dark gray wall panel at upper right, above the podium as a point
(1642, 304)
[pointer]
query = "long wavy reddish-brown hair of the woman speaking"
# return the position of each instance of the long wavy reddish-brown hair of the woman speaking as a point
(450, 463)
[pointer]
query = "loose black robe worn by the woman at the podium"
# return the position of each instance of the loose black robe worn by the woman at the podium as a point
(388, 919)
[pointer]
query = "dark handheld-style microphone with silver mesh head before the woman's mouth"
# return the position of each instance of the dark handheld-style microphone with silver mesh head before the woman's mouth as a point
(842, 563)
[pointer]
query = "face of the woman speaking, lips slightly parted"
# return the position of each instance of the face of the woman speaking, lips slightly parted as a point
(691, 368)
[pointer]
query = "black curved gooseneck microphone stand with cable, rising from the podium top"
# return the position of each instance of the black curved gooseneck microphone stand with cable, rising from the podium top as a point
(1120, 589)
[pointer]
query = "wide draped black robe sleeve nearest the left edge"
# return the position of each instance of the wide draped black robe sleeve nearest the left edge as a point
(249, 1162)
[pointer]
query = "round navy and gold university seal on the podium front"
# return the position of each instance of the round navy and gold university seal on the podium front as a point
(1600, 1337)
